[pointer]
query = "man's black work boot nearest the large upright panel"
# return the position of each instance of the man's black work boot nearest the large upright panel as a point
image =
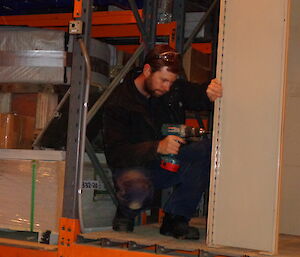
(178, 227)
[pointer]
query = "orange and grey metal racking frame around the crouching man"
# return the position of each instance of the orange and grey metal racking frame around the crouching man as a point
(96, 25)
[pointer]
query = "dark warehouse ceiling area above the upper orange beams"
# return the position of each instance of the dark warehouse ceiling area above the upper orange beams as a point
(18, 7)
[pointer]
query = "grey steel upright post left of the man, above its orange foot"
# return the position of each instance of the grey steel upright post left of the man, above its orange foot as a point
(76, 123)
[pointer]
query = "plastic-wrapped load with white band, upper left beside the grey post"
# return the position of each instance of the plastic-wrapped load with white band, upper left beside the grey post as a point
(30, 55)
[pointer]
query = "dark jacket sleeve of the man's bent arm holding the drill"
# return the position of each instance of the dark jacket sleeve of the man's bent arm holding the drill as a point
(119, 151)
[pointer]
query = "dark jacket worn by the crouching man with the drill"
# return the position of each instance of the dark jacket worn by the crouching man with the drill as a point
(132, 123)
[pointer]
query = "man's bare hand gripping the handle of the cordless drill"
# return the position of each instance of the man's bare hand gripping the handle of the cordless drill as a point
(170, 145)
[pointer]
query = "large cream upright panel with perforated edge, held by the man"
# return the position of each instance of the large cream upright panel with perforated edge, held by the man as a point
(248, 120)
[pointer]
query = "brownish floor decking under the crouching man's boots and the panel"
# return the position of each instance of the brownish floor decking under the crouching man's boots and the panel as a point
(148, 235)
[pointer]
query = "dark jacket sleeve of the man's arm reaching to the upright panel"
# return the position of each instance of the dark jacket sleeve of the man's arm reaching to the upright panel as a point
(193, 96)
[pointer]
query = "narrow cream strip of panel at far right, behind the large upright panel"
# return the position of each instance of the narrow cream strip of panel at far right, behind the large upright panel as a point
(290, 202)
